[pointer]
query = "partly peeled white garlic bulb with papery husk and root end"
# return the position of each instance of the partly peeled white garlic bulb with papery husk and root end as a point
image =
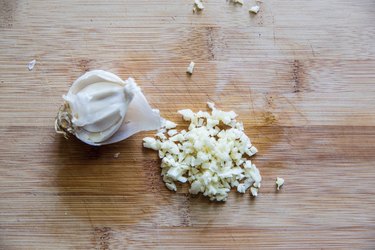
(100, 108)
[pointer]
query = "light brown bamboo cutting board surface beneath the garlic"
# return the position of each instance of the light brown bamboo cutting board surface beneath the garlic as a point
(300, 74)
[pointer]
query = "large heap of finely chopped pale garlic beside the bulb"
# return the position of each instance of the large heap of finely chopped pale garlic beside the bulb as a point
(211, 159)
